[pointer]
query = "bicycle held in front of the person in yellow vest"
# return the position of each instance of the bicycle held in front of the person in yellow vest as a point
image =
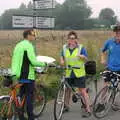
(60, 97)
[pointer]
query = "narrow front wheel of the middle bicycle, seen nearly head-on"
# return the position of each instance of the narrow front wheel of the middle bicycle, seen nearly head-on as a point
(59, 102)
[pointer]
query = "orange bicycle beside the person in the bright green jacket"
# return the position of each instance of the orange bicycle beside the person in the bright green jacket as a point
(11, 104)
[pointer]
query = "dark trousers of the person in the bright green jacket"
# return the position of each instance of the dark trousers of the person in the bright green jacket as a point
(27, 89)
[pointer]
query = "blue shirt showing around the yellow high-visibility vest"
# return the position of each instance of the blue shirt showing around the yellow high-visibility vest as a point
(82, 52)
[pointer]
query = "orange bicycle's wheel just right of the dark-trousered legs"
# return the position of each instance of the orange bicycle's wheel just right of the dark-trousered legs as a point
(39, 101)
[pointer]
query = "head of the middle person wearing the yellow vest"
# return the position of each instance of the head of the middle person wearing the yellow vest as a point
(72, 38)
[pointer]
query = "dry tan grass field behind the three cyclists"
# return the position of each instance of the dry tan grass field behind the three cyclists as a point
(50, 42)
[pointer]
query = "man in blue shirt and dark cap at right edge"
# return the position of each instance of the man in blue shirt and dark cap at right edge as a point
(110, 56)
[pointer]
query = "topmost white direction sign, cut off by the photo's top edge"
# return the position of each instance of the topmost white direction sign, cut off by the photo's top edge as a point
(44, 4)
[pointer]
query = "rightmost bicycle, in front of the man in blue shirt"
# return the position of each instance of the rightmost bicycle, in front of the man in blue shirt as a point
(106, 97)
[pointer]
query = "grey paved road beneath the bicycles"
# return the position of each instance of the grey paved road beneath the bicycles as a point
(75, 112)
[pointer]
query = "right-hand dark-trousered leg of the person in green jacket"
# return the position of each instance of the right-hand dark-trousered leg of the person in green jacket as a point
(29, 97)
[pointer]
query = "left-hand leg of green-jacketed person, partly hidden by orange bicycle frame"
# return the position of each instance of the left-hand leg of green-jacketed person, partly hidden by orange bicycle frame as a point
(21, 112)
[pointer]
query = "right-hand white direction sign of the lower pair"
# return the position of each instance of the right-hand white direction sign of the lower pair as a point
(44, 22)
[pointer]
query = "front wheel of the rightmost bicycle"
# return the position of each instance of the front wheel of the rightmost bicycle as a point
(103, 101)
